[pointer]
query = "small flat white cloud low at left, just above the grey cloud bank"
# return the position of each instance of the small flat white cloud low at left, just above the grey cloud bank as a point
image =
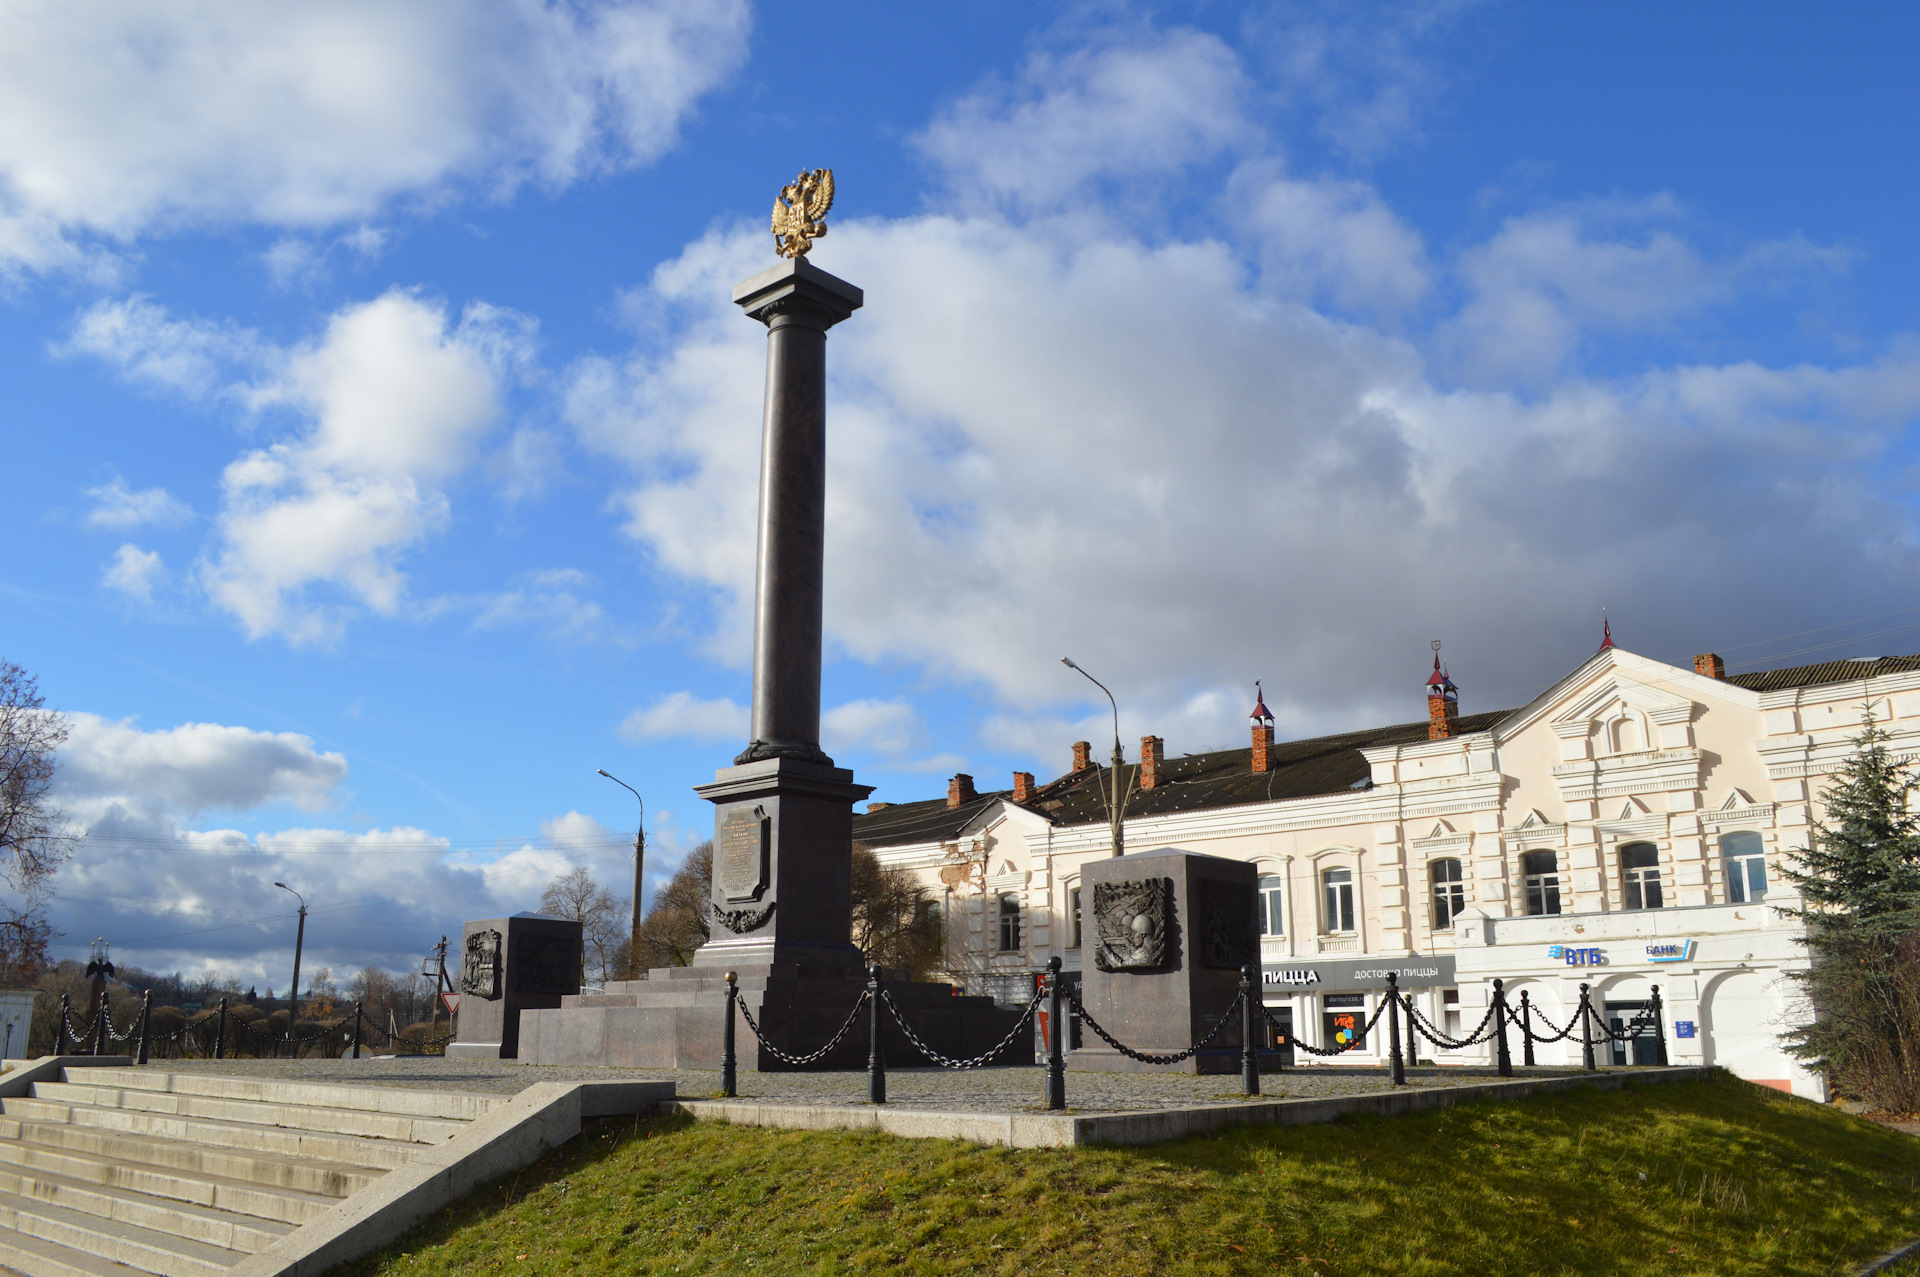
(191, 769)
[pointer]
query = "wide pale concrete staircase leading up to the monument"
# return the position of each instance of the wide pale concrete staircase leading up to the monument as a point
(133, 1170)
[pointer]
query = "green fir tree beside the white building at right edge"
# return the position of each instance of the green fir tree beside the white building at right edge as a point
(1861, 886)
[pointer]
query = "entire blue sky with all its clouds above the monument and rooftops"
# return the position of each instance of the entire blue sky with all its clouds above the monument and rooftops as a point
(385, 441)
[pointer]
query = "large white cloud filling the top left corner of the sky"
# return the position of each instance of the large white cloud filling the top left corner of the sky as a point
(124, 120)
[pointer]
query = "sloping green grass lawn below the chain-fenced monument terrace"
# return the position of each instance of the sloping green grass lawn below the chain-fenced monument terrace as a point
(1685, 1178)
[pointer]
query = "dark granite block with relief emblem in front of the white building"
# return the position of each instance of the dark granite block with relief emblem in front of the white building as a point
(1170, 932)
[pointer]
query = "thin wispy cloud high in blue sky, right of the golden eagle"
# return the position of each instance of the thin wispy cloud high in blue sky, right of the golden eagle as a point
(1136, 108)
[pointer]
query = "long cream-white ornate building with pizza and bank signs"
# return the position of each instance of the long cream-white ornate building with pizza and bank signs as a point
(1623, 831)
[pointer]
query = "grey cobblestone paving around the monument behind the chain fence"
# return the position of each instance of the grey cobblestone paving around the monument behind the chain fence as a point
(990, 1090)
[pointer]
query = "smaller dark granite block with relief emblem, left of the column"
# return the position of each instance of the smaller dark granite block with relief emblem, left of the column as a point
(508, 969)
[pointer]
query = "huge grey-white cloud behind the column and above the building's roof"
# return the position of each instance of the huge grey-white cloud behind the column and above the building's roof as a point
(1141, 450)
